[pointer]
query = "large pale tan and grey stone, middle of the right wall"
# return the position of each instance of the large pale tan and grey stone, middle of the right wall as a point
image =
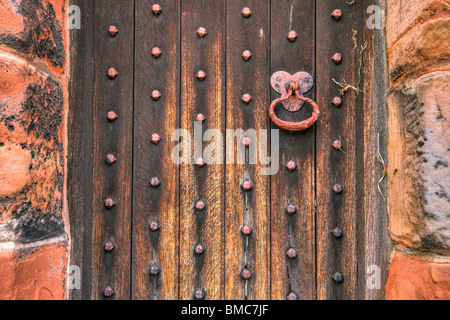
(419, 163)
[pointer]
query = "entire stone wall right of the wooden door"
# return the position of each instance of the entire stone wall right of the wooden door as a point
(418, 41)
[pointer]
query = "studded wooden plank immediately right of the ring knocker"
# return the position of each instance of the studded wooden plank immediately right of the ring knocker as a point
(333, 166)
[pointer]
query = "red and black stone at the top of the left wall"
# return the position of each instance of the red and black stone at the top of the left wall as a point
(35, 28)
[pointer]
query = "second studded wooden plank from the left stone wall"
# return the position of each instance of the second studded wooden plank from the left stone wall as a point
(153, 159)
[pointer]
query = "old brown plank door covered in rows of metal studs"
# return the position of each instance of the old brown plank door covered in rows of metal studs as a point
(146, 227)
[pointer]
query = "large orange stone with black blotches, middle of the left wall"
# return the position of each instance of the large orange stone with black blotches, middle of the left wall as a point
(31, 146)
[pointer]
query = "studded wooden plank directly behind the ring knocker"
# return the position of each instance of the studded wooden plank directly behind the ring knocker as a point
(297, 188)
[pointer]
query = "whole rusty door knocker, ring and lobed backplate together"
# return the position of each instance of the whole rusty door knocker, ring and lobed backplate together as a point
(292, 89)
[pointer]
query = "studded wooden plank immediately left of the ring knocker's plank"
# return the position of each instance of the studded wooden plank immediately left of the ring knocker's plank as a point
(253, 207)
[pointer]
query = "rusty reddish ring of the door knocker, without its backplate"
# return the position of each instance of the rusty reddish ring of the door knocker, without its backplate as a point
(294, 126)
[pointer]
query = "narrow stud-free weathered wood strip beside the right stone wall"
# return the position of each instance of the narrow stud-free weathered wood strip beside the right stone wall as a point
(374, 244)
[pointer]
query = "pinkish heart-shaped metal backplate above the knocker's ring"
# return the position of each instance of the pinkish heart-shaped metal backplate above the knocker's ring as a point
(280, 83)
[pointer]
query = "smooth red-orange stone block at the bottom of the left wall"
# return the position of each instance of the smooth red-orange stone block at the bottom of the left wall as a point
(34, 273)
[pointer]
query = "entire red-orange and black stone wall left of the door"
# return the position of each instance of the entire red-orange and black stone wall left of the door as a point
(33, 245)
